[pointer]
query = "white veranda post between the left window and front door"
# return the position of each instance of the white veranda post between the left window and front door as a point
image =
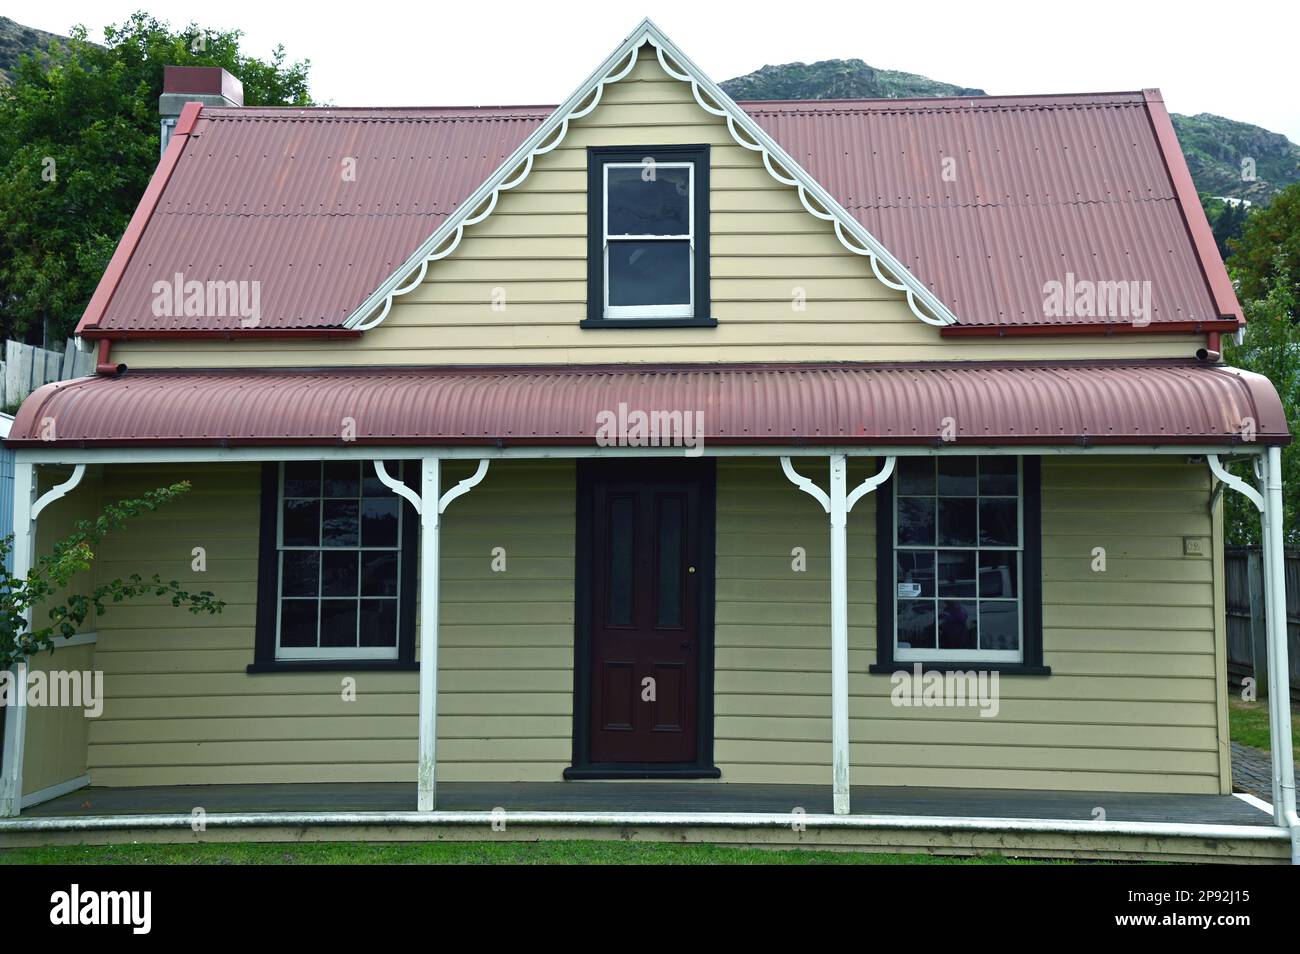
(430, 505)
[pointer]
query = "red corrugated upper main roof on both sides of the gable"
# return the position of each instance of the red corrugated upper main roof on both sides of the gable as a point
(1045, 187)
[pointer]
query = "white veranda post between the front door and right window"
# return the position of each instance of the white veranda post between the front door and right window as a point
(839, 504)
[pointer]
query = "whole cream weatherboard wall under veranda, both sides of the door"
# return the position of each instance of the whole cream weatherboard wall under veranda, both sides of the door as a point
(1132, 705)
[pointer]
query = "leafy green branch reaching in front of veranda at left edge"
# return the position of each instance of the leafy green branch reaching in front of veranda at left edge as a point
(53, 575)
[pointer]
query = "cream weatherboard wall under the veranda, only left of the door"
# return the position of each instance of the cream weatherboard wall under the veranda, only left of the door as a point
(183, 709)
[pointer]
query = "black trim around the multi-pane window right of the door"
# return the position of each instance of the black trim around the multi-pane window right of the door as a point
(1032, 584)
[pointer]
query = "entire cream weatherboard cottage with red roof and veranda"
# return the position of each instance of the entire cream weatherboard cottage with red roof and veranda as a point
(661, 463)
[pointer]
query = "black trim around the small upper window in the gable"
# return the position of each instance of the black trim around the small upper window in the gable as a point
(597, 157)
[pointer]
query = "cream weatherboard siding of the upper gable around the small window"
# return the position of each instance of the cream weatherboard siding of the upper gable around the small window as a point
(532, 250)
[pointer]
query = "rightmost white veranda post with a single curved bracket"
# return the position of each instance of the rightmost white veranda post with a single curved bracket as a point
(1268, 501)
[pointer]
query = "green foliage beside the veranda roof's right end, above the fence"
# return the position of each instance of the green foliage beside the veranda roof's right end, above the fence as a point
(1271, 348)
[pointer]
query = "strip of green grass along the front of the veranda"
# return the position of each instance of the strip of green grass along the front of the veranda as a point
(465, 853)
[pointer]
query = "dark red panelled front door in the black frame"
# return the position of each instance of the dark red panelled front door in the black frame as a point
(645, 591)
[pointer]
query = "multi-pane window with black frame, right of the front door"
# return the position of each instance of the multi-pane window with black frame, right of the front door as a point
(960, 565)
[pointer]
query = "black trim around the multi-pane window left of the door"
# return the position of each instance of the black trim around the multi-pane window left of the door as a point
(268, 570)
